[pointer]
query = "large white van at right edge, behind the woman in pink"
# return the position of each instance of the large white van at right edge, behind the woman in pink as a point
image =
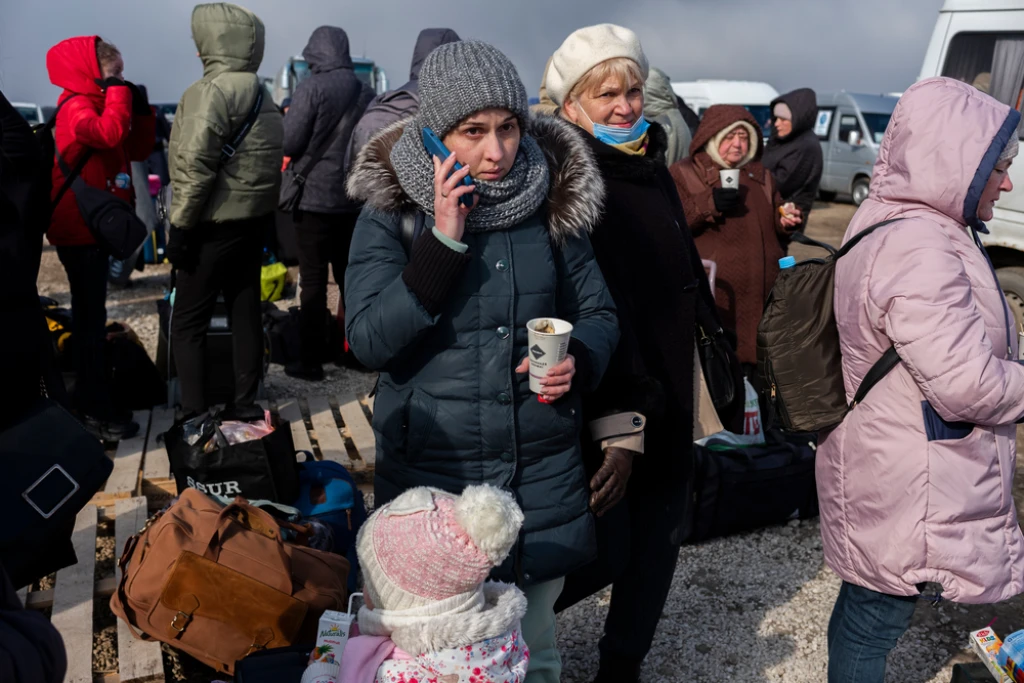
(970, 38)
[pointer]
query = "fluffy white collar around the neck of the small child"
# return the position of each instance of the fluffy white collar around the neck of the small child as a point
(504, 607)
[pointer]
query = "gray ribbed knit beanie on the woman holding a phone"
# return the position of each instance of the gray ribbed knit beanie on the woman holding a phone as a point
(460, 79)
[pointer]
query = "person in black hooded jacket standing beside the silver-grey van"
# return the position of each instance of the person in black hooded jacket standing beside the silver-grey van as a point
(794, 153)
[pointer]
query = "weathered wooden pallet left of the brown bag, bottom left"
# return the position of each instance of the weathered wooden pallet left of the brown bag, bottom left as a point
(75, 590)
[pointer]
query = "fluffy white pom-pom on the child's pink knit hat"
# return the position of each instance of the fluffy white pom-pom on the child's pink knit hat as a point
(492, 519)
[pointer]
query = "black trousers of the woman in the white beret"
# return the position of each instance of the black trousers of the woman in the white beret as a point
(638, 549)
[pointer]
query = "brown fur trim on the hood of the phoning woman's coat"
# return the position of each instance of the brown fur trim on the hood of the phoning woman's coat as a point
(575, 199)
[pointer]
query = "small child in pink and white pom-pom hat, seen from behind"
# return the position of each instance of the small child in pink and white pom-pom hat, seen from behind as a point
(431, 615)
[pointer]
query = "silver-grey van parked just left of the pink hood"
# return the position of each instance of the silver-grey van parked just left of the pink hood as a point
(850, 126)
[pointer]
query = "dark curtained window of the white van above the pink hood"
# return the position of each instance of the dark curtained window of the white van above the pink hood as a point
(994, 63)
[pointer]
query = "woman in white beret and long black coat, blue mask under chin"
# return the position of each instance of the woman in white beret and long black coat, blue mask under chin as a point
(642, 417)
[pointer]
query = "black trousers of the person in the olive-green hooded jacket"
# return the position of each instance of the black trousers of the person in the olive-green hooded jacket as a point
(229, 262)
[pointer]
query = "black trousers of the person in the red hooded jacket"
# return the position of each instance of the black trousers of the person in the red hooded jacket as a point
(87, 269)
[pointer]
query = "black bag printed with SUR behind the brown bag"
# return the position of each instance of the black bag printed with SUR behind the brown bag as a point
(262, 469)
